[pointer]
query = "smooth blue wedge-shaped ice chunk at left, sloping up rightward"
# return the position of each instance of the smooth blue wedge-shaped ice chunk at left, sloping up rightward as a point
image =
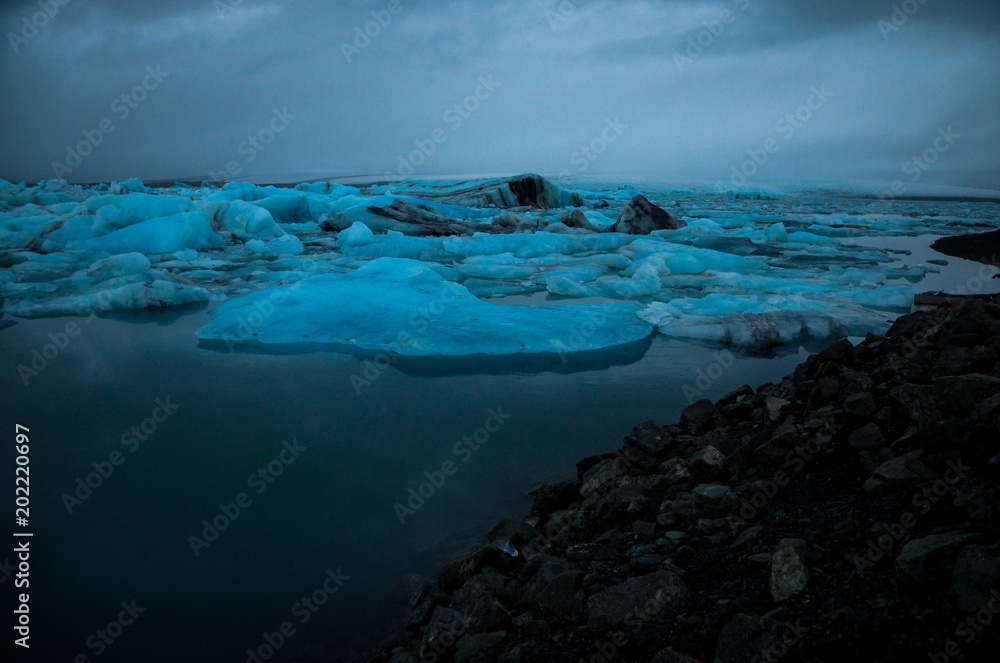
(164, 235)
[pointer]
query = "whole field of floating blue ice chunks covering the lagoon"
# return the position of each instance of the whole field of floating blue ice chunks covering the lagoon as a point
(429, 268)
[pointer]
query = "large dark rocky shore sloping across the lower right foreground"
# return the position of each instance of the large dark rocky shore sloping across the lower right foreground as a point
(848, 513)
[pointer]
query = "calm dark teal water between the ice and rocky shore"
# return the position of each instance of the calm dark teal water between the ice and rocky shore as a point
(331, 508)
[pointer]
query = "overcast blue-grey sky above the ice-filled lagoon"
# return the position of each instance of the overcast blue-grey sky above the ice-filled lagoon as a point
(622, 77)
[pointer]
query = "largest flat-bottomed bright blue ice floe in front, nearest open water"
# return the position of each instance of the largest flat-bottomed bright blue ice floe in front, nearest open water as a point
(404, 307)
